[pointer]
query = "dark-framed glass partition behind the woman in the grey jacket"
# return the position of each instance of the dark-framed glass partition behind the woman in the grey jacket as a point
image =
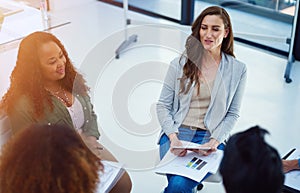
(262, 23)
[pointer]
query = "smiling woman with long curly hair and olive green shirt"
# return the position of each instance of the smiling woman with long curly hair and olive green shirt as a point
(46, 89)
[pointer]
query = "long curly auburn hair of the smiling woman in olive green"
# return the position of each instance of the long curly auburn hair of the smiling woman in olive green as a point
(26, 78)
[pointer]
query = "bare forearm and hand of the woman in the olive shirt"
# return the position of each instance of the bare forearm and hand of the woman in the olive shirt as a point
(92, 143)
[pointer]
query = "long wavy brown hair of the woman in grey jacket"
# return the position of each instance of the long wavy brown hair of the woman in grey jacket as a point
(194, 51)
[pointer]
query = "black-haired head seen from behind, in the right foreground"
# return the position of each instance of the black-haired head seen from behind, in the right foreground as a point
(250, 165)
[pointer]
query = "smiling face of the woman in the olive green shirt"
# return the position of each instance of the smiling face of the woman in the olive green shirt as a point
(52, 61)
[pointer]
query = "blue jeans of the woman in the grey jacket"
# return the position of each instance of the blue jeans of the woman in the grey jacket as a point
(180, 184)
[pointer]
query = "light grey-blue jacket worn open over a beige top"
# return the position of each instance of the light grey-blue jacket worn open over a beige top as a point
(226, 97)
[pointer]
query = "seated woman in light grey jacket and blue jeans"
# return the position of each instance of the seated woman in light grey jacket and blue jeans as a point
(201, 96)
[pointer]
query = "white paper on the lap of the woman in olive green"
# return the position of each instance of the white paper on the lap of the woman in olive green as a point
(111, 175)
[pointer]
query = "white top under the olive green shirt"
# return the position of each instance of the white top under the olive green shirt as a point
(76, 113)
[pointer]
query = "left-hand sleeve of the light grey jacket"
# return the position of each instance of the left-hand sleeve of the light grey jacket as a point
(165, 103)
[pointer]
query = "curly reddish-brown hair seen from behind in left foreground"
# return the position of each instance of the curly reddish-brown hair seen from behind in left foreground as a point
(43, 159)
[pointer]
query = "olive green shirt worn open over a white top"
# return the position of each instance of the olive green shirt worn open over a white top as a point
(22, 116)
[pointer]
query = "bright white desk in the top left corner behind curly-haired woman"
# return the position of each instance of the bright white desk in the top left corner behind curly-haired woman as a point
(18, 25)
